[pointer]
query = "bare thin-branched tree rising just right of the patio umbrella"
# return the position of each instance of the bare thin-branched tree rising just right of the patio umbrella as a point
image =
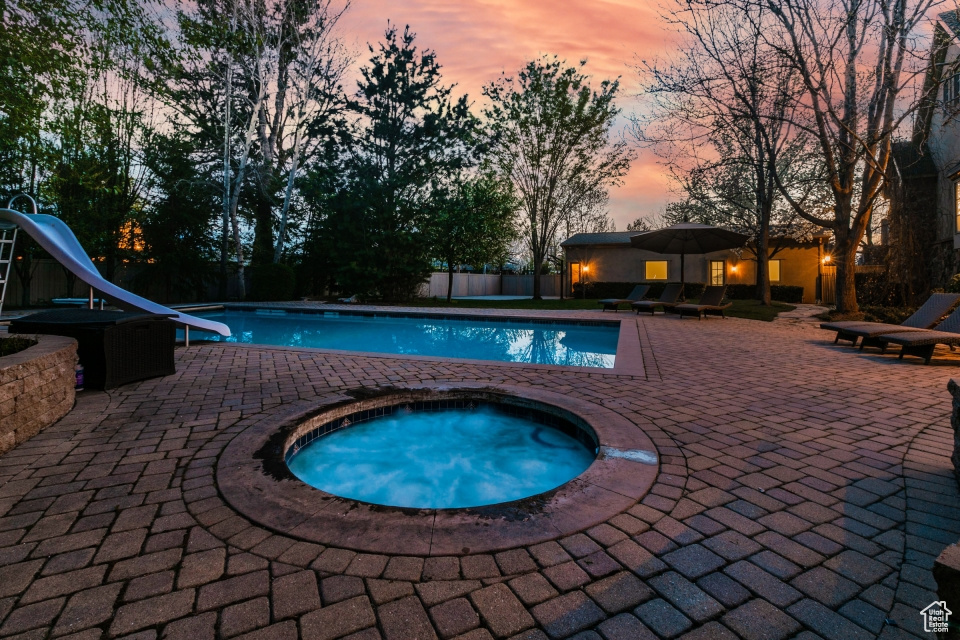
(722, 121)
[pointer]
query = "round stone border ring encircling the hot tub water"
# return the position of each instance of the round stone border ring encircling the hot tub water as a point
(253, 479)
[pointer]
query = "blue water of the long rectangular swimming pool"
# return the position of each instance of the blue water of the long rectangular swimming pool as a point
(569, 344)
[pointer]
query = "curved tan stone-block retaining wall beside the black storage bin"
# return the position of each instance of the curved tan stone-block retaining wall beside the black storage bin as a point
(36, 388)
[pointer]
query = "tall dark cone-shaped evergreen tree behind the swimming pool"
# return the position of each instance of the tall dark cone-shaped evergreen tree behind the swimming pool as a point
(411, 138)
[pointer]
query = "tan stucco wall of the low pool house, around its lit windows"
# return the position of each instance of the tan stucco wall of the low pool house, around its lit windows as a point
(799, 266)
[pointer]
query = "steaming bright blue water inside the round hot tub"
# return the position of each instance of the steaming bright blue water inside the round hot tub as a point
(441, 460)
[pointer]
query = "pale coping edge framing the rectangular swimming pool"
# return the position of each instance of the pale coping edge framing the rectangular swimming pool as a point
(629, 358)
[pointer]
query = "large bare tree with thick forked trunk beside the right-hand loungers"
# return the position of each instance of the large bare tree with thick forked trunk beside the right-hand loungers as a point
(861, 73)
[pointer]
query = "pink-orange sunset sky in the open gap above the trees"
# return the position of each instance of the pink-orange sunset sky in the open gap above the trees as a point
(477, 40)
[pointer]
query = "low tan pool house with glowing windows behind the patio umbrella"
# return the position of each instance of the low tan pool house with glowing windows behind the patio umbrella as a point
(609, 257)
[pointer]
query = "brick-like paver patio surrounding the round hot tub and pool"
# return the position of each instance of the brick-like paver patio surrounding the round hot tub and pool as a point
(804, 492)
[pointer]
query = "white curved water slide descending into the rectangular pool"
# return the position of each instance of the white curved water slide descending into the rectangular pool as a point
(58, 240)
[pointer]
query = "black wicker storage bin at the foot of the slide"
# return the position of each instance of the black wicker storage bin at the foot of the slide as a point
(114, 347)
